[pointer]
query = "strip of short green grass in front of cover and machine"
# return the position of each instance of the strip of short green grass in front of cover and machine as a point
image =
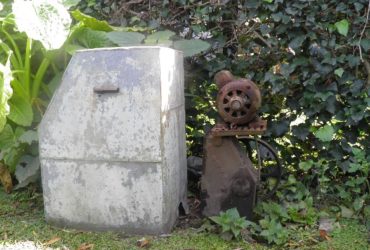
(21, 220)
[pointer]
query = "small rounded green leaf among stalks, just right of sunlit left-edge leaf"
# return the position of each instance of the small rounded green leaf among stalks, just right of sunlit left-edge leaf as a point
(20, 111)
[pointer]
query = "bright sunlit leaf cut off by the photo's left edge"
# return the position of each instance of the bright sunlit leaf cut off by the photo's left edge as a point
(6, 91)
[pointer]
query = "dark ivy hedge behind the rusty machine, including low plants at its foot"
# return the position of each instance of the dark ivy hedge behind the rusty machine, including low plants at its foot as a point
(315, 94)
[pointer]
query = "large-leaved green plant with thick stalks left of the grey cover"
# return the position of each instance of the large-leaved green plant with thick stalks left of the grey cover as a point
(32, 28)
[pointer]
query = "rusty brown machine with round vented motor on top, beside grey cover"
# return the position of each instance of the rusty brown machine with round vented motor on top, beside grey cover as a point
(237, 167)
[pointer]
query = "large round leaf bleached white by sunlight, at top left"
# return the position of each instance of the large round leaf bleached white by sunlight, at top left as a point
(46, 21)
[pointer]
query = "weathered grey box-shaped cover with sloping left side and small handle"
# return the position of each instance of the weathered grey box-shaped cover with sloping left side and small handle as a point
(116, 161)
